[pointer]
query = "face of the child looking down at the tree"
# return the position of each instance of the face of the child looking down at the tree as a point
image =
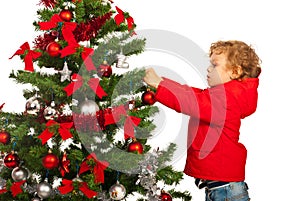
(217, 72)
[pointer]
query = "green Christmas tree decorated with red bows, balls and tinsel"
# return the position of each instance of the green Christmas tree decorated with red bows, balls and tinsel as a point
(64, 146)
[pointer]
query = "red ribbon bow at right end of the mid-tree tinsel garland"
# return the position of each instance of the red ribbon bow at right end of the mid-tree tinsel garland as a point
(130, 122)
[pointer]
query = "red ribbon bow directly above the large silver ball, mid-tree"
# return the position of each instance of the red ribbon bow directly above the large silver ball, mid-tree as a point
(77, 83)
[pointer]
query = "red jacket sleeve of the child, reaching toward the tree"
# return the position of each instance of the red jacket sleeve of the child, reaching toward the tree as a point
(207, 105)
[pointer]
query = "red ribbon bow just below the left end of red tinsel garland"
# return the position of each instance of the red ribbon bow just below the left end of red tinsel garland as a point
(63, 130)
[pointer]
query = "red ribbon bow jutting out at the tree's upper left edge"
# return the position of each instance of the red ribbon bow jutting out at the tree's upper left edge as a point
(30, 55)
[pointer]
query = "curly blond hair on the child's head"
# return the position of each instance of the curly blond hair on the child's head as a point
(239, 54)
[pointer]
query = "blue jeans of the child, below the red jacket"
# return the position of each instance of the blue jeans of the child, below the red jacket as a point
(235, 191)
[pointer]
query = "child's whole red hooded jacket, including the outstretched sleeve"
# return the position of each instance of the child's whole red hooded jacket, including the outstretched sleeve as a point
(214, 151)
